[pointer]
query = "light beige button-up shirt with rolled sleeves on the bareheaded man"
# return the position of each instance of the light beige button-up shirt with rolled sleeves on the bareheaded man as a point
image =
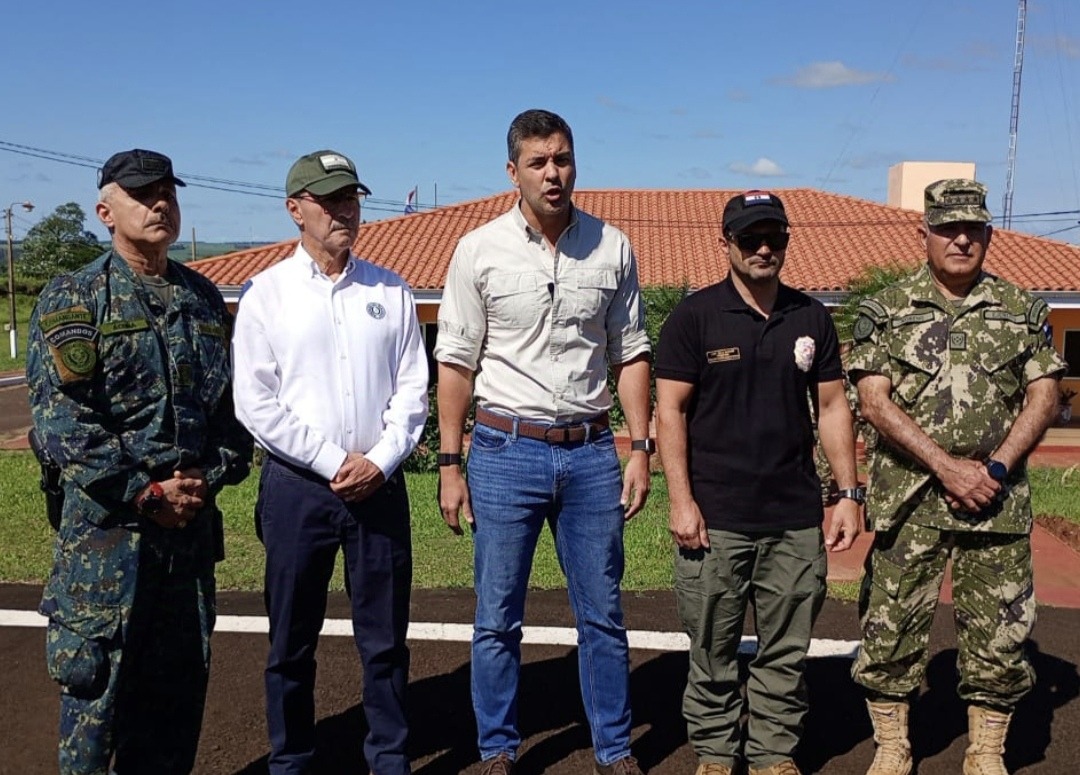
(541, 328)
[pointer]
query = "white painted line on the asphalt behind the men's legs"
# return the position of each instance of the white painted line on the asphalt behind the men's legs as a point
(463, 634)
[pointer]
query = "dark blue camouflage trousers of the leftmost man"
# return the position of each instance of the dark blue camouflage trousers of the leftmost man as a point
(137, 700)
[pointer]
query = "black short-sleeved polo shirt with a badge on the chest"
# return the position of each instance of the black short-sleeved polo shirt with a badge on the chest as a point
(750, 428)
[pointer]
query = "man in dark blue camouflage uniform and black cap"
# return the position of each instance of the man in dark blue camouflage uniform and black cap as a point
(130, 389)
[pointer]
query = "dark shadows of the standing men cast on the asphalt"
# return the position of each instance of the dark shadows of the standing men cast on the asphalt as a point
(552, 720)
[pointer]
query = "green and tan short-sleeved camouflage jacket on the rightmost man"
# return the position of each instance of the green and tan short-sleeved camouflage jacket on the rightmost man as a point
(961, 372)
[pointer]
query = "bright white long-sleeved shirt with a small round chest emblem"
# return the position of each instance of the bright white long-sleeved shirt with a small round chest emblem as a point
(325, 368)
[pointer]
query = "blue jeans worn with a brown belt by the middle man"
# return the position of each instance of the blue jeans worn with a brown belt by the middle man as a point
(516, 485)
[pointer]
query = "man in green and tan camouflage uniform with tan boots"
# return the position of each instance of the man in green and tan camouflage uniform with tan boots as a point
(956, 373)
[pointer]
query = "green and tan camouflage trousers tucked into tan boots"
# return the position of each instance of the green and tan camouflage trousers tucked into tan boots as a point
(994, 602)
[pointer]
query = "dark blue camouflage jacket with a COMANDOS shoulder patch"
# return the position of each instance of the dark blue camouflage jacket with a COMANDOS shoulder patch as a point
(124, 390)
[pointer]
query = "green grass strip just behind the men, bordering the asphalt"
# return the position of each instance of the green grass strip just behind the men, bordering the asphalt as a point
(441, 559)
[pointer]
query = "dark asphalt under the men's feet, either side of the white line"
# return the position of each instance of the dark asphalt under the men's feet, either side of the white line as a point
(838, 739)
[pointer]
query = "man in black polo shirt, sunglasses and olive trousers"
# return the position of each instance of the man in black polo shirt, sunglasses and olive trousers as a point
(739, 366)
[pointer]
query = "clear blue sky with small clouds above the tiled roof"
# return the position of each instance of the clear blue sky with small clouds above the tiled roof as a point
(715, 94)
